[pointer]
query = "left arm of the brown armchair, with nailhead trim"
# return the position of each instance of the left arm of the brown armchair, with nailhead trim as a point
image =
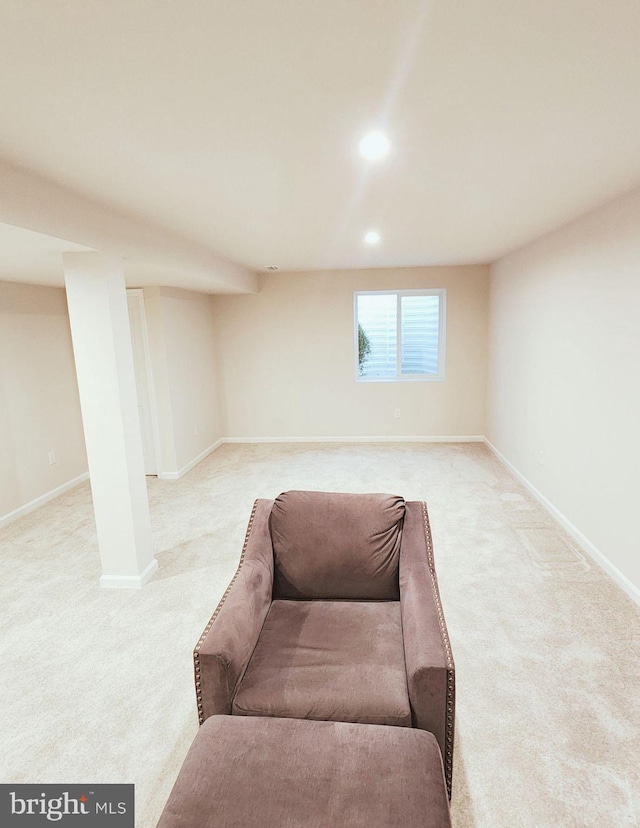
(222, 654)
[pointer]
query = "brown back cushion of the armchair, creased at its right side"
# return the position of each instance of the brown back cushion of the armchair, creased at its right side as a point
(331, 545)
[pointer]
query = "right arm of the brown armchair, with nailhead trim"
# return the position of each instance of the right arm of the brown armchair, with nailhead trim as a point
(428, 657)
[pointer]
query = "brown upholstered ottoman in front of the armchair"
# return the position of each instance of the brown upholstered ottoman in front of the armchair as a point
(244, 771)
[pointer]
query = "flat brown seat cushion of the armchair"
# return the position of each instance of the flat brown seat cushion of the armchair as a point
(340, 661)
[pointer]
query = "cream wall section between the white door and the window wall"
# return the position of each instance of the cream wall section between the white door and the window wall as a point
(183, 355)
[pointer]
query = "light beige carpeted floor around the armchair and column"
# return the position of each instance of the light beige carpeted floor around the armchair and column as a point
(96, 685)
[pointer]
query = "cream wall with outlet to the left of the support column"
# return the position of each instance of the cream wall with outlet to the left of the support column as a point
(39, 404)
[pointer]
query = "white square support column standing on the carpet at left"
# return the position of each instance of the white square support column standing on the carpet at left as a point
(97, 300)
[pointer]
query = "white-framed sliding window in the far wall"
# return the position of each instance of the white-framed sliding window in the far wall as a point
(399, 335)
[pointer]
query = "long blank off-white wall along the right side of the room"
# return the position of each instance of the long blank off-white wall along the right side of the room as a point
(564, 377)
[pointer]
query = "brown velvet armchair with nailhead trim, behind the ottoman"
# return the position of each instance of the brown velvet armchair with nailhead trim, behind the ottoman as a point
(333, 614)
